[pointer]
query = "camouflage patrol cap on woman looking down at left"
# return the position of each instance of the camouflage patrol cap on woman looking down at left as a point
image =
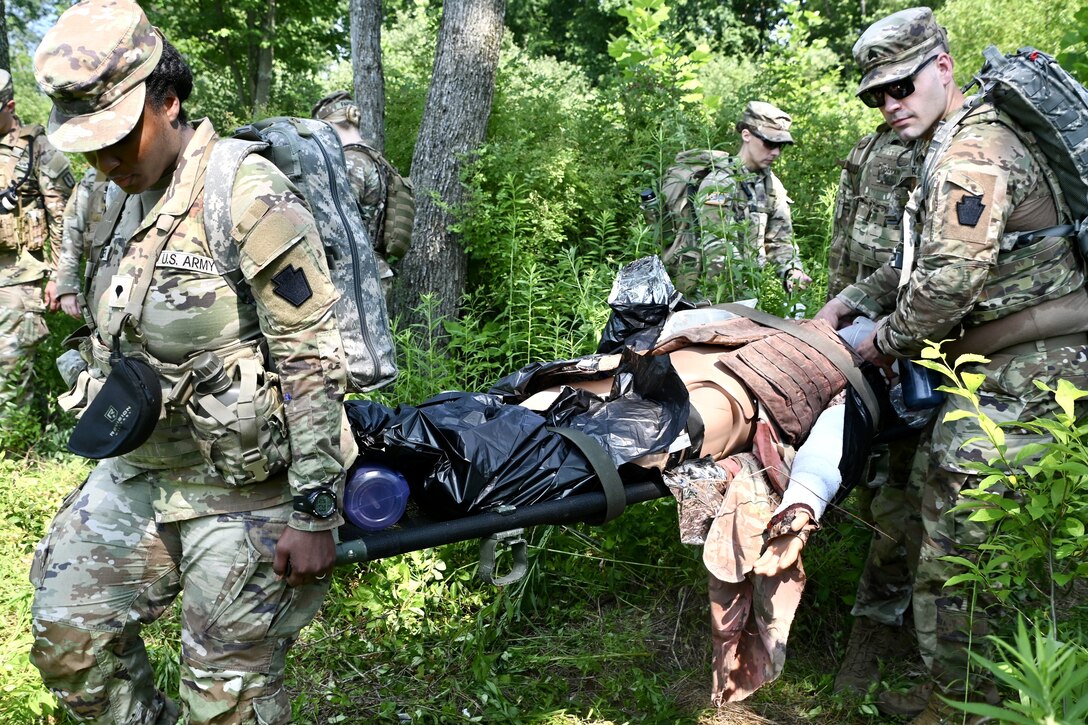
(93, 66)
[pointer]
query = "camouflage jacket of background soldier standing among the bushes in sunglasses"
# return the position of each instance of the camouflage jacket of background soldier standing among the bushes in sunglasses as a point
(735, 196)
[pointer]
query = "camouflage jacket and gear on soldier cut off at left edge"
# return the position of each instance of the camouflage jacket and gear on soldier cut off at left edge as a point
(42, 201)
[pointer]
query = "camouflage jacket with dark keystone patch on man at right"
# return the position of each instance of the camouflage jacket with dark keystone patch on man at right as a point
(988, 183)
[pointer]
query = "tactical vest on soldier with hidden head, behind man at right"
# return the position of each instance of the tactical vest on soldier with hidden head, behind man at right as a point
(872, 213)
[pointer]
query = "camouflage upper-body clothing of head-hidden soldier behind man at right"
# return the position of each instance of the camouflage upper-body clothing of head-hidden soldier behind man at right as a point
(876, 181)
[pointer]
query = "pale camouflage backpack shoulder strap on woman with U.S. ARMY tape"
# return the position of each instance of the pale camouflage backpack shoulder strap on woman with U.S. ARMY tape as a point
(224, 165)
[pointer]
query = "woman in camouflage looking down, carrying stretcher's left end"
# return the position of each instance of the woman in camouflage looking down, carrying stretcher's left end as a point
(234, 494)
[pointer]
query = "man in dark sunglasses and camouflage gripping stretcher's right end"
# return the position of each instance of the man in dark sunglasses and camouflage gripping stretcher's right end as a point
(965, 280)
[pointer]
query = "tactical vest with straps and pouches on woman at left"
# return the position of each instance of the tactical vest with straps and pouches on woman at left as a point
(244, 437)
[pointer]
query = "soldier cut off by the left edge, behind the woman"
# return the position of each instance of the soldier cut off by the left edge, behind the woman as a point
(35, 183)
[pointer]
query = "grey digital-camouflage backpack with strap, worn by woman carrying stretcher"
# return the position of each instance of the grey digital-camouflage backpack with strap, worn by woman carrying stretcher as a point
(310, 154)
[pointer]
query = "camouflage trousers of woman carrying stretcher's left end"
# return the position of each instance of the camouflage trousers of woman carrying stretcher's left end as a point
(106, 569)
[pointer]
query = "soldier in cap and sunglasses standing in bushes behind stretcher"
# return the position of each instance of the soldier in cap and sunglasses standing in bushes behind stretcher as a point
(749, 192)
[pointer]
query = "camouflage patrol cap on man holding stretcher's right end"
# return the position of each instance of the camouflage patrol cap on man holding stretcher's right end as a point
(895, 47)
